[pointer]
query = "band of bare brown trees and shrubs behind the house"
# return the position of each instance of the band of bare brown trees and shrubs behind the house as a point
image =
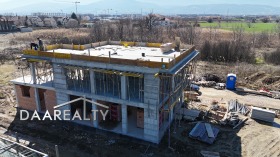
(214, 44)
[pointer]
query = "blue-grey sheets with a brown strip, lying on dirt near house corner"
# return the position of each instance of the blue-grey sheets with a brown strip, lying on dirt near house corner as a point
(199, 132)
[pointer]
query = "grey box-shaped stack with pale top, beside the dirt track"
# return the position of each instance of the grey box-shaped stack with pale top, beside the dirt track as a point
(262, 114)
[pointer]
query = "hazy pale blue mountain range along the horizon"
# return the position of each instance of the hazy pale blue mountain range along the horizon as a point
(134, 6)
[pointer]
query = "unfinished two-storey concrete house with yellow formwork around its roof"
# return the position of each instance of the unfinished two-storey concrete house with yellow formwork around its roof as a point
(141, 83)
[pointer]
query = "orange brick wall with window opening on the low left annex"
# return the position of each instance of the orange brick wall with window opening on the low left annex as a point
(27, 103)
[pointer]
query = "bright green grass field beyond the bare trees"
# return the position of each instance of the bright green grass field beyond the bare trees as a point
(255, 27)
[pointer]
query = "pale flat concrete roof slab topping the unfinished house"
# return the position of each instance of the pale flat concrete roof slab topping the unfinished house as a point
(121, 52)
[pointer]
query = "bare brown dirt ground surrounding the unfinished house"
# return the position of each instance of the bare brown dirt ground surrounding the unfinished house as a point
(254, 138)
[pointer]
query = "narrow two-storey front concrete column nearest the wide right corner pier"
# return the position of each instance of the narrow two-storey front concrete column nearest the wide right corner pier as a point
(124, 106)
